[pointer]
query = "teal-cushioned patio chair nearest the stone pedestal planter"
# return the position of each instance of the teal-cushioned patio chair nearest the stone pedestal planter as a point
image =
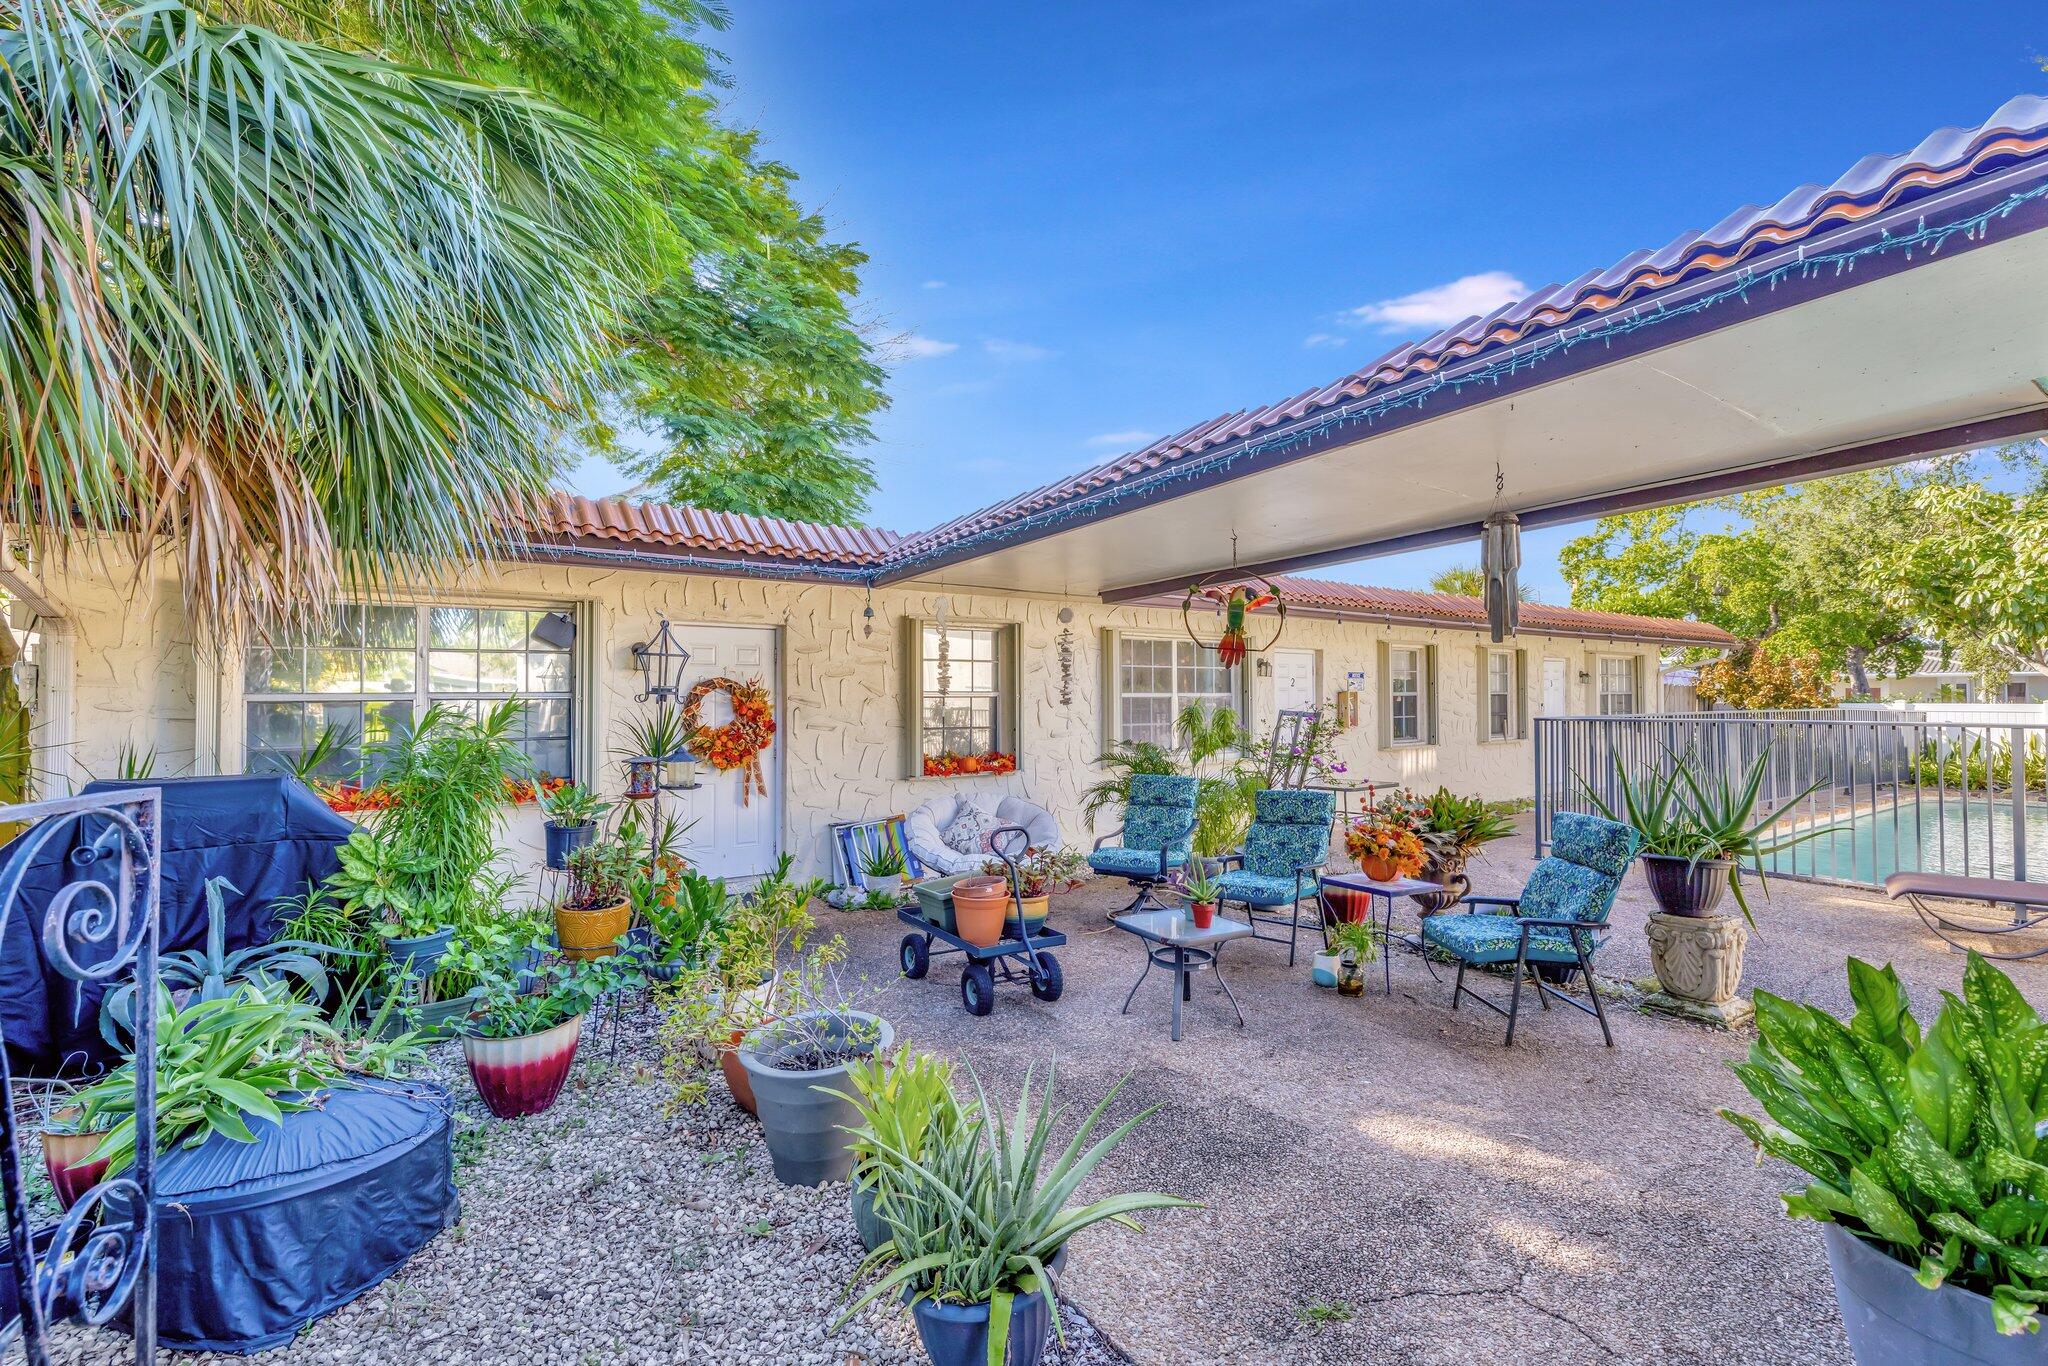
(1560, 921)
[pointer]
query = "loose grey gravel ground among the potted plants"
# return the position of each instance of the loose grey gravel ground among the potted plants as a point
(603, 1232)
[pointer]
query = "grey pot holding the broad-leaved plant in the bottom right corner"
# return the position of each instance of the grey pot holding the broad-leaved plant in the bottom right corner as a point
(1897, 1322)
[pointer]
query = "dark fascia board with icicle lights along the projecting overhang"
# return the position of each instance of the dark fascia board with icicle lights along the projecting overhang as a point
(1420, 392)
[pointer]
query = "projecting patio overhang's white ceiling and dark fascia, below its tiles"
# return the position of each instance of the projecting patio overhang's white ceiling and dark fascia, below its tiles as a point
(1912, 333)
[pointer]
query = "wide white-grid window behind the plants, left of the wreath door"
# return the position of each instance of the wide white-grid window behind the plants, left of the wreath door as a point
(378, 669)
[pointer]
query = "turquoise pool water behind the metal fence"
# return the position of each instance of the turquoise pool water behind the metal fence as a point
(1971, 839)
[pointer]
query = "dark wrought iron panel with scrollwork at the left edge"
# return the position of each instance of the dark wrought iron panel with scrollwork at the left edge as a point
(99, 925)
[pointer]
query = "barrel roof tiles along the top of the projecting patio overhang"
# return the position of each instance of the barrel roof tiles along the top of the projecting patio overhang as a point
(1877, 183)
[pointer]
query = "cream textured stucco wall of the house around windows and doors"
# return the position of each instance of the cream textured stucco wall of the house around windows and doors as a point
(138, 679)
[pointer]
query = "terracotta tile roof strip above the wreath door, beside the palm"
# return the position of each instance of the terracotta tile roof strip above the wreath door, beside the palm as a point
(695, 529)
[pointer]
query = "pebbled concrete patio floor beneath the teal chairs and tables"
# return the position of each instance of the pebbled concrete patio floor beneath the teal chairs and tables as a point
(1385, 1183)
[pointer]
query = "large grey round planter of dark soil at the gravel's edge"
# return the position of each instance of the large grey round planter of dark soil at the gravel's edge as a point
(806, 1129)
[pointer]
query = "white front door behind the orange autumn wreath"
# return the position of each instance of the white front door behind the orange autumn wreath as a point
(732, 833)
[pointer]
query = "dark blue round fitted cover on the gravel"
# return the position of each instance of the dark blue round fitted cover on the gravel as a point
(257, 1240)
